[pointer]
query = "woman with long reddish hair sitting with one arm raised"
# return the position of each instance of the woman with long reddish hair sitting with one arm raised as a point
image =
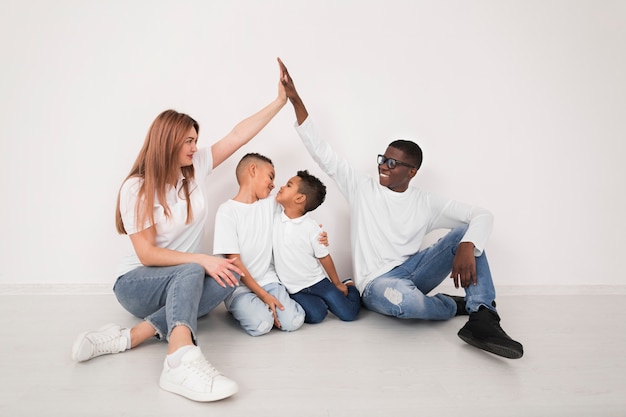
(166, 281)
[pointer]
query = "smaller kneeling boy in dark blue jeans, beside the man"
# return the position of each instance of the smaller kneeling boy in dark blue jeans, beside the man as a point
(299, 257)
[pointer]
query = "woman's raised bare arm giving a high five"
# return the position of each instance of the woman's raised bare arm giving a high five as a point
(248, 128)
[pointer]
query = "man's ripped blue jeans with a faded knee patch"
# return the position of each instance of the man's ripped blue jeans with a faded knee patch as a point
(402, 292)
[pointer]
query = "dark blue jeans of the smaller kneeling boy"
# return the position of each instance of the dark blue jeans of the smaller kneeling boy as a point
(317, 299)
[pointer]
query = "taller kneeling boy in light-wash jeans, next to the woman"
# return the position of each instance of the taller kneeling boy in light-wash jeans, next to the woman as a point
(243, 230)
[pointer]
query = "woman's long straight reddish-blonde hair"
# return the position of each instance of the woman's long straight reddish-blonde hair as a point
(157, 164)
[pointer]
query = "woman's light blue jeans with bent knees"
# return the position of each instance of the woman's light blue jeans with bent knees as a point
(169, 296)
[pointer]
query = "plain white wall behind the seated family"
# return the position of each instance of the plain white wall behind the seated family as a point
(519, 106)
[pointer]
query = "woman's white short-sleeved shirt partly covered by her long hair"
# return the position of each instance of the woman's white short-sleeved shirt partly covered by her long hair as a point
(171, 233)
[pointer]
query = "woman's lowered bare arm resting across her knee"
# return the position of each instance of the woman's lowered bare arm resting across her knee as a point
(220, 269)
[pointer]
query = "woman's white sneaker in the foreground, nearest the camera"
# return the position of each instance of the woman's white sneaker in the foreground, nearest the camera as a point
(196, 379)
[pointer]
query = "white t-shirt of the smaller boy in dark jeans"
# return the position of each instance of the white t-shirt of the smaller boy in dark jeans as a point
(297, 250)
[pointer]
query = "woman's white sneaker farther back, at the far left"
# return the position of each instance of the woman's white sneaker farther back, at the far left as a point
(105, 340)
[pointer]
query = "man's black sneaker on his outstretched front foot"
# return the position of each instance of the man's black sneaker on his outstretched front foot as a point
(483, 331)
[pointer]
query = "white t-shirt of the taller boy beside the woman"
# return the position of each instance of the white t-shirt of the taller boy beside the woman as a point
(246, 229)
